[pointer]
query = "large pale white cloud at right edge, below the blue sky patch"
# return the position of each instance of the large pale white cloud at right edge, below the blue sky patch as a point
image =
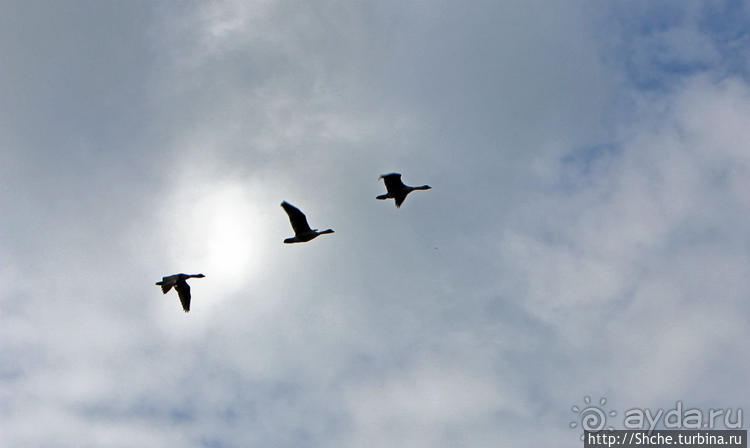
(643, 267)
